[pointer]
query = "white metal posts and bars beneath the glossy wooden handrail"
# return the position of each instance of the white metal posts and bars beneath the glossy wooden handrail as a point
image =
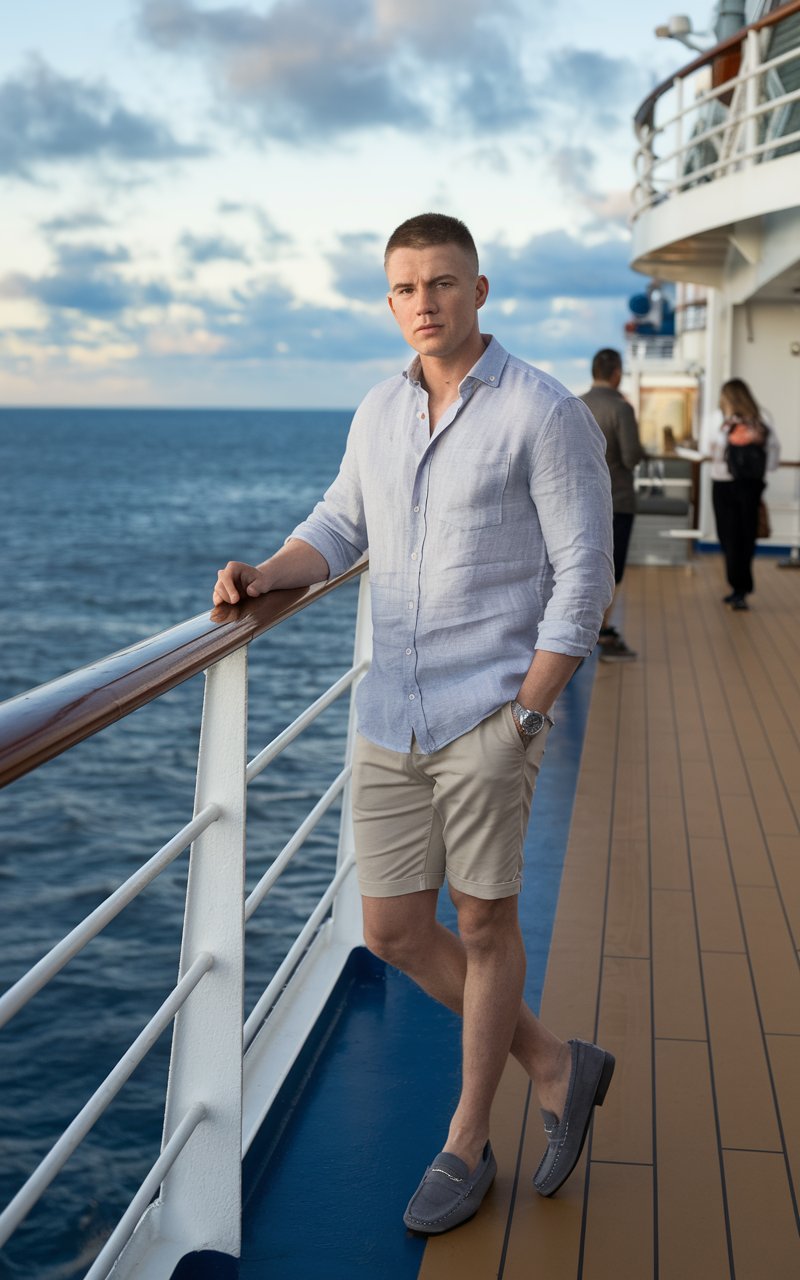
(199, 1205)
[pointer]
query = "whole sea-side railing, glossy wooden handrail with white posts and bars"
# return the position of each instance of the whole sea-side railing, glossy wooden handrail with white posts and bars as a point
(40, 725)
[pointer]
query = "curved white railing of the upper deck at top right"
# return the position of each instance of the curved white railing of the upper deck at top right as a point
(717, 131)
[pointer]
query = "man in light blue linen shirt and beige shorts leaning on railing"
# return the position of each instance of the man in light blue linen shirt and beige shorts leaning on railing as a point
(482, 491)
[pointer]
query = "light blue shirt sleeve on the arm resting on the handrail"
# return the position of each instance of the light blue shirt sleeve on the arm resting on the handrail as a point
(337, 527)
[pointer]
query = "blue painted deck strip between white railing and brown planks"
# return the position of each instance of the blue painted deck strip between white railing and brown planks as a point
(328, 1180)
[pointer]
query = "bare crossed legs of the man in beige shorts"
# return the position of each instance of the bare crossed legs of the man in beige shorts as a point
(481, 977)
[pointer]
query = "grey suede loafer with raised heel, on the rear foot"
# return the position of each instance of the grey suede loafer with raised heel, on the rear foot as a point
(589, 1080)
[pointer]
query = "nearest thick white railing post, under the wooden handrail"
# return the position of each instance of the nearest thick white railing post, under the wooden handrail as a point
(202, 1197)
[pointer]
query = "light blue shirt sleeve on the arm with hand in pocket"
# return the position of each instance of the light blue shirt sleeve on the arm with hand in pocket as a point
(572, 491)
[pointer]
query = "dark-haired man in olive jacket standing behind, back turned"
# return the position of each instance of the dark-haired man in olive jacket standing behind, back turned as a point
(624, 451)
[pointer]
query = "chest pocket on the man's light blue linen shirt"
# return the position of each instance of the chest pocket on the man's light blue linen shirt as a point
(469, 488)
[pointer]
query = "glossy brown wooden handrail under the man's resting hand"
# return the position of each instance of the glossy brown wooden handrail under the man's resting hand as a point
(47, 721)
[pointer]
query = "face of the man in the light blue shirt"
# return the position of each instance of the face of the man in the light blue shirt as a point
(435, 295)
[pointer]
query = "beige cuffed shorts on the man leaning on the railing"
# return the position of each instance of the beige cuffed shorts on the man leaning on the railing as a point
(459, 813)
